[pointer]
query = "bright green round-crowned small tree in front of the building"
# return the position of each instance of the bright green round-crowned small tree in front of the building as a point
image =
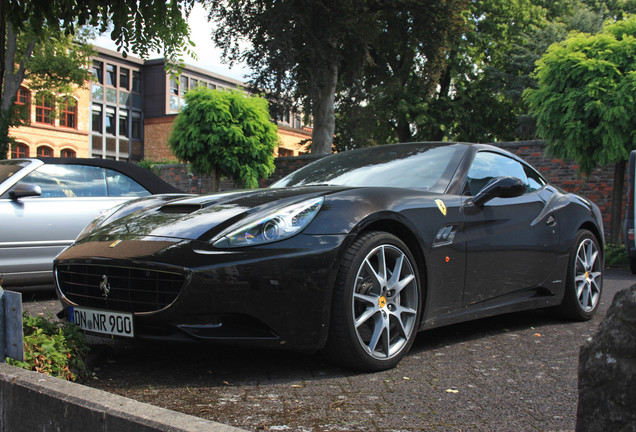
(225, 133)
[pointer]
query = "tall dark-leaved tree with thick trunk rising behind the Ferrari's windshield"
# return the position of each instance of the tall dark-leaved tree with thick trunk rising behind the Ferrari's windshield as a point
(299, 50)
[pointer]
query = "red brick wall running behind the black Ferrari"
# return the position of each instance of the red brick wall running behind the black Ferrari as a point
(598, 187)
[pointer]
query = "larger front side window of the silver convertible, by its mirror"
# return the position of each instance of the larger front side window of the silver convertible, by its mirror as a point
(68, 181)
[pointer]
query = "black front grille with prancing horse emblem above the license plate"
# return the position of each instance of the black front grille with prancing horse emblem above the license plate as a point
(124, 289)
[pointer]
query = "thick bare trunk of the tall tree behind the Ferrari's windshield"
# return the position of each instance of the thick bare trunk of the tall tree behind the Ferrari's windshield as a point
(324, 115)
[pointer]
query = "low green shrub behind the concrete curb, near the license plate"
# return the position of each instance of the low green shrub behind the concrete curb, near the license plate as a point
(53, 348)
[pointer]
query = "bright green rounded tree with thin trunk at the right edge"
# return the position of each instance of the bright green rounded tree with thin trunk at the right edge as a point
(584, 102)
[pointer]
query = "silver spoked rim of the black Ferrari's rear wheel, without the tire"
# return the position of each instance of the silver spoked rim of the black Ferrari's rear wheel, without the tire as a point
(587, 275)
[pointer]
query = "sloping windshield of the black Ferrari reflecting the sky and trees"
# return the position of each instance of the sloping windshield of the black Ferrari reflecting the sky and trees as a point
(421, 166)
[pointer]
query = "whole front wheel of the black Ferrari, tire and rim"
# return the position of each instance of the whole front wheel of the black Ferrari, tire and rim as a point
(375, 314)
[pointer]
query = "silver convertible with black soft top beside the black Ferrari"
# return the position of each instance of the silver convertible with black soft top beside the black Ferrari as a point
(45, 203)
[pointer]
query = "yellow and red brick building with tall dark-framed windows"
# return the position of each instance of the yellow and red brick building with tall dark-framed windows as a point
(125, 113)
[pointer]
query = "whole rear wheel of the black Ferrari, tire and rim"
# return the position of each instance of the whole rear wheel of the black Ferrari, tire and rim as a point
(584, 283)
